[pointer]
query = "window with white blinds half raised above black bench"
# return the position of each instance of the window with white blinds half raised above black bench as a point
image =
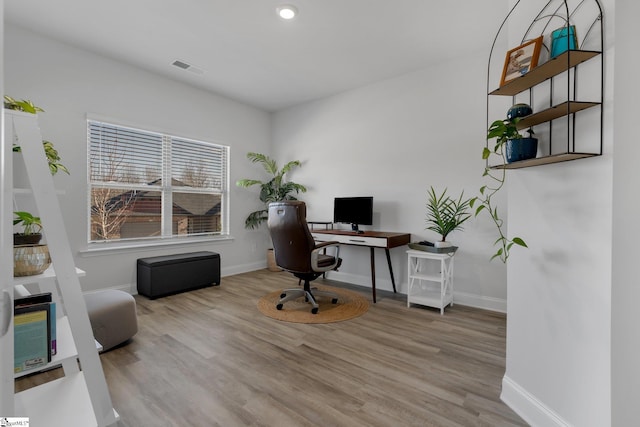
(149, 185)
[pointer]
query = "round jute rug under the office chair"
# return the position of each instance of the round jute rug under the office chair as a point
(350, 305)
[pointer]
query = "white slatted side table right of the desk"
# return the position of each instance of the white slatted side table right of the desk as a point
(428, 284)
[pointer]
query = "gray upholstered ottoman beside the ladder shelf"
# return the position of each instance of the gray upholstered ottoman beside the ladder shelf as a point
(112, 314)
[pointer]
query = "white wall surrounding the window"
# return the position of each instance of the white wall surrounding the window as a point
(69, 83)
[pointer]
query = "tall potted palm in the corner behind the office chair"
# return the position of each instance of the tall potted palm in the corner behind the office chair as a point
(275, 189)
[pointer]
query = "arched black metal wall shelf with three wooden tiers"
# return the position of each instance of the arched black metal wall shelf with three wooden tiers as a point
(552, 88)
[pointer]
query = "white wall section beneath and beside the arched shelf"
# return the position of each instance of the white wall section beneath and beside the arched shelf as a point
(559, 291)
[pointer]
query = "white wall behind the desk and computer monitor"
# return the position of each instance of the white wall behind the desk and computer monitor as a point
(392, 140)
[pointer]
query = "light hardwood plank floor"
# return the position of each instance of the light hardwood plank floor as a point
(210, 358)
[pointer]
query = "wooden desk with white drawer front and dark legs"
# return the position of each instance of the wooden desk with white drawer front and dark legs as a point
(370, 239)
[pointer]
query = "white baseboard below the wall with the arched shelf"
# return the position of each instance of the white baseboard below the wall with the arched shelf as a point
(527, 406)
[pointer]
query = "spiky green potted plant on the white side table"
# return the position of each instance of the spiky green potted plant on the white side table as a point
(445, 215)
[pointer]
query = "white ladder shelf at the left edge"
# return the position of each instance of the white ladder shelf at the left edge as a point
(81, 397)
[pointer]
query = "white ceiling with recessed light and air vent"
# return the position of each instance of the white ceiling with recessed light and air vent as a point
(249, 54)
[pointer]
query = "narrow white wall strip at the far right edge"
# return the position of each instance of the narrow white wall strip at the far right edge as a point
(625, 340)
